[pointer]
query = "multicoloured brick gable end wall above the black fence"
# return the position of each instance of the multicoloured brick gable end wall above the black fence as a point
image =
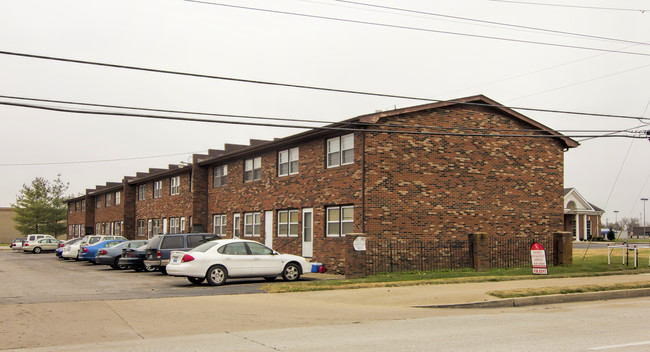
(449, 186)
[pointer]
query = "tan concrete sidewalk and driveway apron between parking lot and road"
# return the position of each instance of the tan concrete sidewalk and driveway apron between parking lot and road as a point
(65, 323)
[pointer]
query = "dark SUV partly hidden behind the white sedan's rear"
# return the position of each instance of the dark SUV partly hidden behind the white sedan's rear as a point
(161, 246)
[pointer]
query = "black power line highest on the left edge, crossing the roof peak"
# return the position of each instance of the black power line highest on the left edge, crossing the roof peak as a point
(290, 85)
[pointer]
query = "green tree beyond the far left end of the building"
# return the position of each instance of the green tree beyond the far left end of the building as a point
(40, 207)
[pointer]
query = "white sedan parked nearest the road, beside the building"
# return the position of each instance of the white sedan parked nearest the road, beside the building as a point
(218, 260)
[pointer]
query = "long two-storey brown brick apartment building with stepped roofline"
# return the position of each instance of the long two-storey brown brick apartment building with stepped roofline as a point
(302, 194)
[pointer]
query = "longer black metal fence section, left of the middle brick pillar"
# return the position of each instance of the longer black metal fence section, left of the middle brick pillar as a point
(396, 255)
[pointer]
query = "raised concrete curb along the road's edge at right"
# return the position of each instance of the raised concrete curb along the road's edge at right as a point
(550, 299)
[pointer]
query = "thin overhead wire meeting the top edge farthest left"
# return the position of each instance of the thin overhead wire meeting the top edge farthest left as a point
(566, 46)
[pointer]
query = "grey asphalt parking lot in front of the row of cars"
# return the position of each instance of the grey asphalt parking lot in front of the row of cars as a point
(40, 278)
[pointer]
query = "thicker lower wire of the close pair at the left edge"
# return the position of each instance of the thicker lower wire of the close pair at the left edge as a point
(332, 128)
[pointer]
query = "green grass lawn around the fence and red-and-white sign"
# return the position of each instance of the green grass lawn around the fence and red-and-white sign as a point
(593, 264)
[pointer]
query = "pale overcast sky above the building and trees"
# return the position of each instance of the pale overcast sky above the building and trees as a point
(430, 49)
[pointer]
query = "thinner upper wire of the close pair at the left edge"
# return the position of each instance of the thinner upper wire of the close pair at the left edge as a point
(265, 118)
